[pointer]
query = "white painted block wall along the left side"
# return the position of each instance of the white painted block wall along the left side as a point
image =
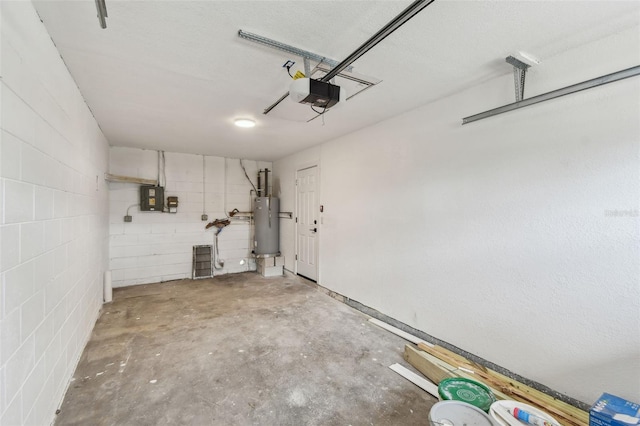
(54, 222)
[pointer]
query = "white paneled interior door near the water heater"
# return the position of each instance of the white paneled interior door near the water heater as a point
(307, 225)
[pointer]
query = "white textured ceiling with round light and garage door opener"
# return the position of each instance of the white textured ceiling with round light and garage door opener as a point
(173, 75)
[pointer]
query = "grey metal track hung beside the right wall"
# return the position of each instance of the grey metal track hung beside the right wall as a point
(589, 84)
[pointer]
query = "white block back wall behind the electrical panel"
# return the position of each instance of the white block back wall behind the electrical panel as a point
(156, 246)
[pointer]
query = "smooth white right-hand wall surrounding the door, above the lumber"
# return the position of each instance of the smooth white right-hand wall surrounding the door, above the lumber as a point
(515, 238)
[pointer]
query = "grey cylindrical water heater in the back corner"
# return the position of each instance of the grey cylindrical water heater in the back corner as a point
(266, 239)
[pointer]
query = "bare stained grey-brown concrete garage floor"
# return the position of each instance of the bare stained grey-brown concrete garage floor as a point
(239, 349)
